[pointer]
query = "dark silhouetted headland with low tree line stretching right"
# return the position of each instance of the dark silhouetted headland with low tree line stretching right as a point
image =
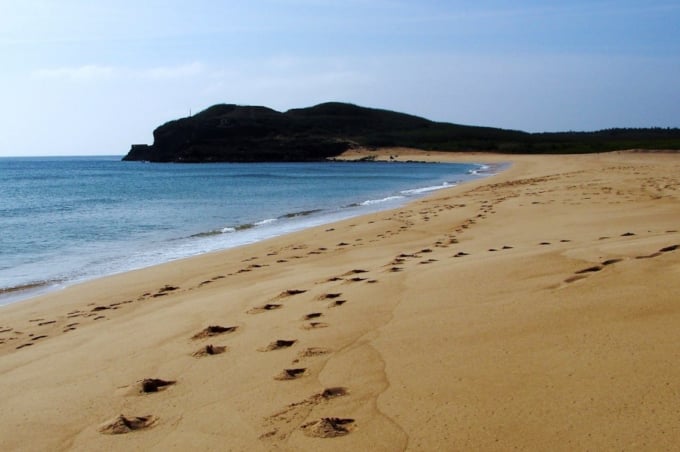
(232, 133)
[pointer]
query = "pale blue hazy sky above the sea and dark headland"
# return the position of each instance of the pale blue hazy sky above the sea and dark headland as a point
(83, 77)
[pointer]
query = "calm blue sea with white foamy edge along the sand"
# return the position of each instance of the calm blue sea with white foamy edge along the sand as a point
(70, 219)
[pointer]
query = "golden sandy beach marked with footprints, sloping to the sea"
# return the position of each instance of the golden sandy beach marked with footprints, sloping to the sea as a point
(538, 309)
